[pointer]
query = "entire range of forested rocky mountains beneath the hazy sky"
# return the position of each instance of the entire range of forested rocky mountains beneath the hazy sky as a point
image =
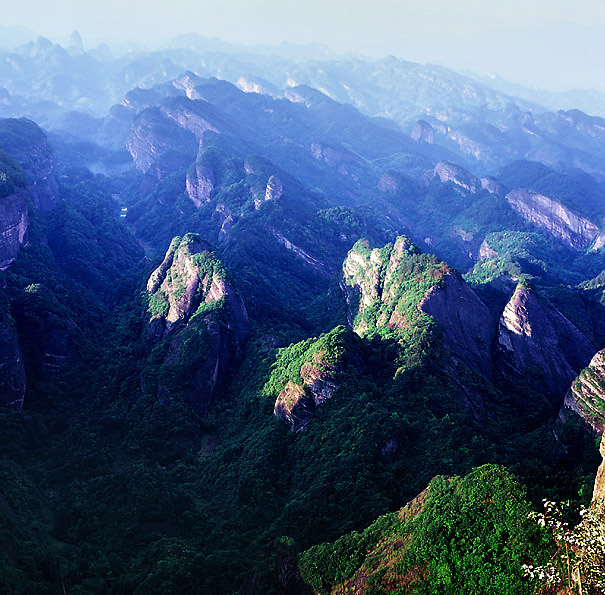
(255, 302)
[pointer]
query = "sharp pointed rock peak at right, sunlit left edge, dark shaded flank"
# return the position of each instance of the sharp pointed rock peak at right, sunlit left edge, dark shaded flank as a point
(532, 333)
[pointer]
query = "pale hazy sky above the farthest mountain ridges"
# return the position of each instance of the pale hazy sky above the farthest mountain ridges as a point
(486, 35)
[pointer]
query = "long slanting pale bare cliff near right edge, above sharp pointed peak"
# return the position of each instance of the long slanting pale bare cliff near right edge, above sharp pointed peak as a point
(549, 214)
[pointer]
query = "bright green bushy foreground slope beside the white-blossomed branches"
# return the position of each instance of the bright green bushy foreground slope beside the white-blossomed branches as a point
(460, 535)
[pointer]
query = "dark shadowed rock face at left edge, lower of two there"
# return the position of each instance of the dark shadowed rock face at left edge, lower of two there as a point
(12, 372)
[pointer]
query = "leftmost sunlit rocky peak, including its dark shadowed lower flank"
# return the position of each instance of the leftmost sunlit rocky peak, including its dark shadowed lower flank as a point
(197, 320)
